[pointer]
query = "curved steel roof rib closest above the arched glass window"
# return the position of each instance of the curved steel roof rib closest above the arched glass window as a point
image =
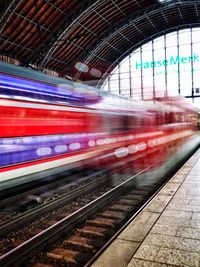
(153, 10)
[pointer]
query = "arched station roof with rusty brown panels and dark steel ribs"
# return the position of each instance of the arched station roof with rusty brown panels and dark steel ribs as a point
(56, 34)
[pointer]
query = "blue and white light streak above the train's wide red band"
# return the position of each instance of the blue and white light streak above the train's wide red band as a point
(32, 90)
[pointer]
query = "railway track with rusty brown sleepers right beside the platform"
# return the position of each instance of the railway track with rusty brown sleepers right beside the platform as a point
(78, 236)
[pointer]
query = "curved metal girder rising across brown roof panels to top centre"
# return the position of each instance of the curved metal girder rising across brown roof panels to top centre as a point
(48, 48)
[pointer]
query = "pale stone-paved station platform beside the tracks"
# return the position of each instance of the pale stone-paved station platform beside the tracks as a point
(167, 232)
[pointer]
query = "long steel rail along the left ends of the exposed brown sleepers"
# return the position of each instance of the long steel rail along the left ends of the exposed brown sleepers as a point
(16, 256)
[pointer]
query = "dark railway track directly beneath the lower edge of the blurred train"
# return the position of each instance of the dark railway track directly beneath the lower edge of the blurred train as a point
(24, 207)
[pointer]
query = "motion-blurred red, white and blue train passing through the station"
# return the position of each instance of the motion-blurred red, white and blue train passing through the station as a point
(49, 124)
